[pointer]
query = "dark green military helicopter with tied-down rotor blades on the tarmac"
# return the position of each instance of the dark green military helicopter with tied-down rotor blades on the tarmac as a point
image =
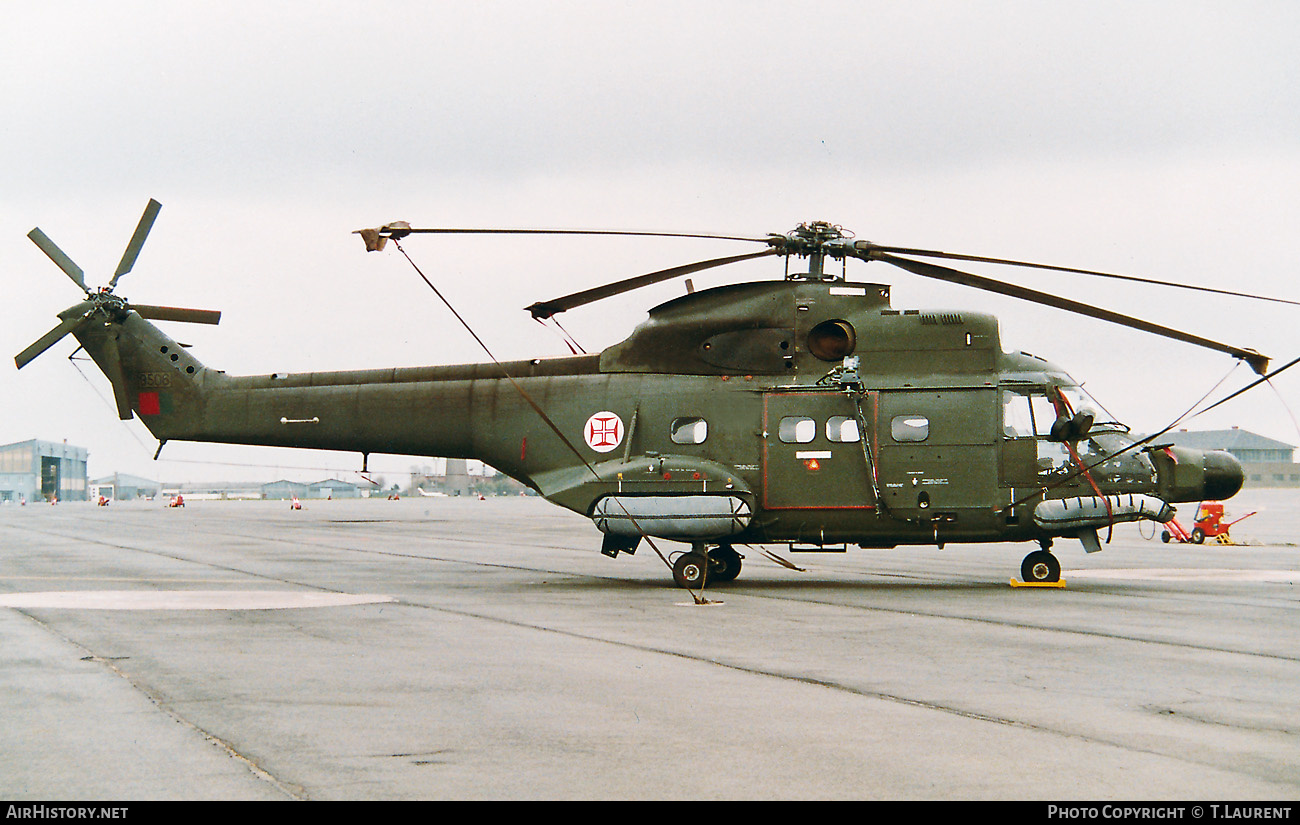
(804, 411)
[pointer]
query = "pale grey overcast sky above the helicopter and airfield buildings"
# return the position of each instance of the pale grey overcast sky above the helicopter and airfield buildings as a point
(1159, 140)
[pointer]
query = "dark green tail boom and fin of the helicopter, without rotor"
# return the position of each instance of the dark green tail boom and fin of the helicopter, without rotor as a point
(419, 411)
